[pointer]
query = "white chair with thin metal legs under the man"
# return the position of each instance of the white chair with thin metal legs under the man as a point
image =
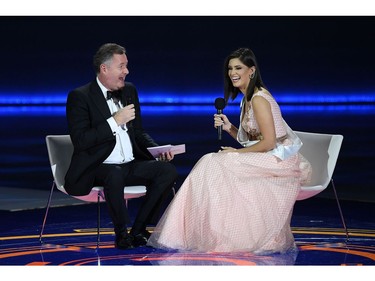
(60, 150)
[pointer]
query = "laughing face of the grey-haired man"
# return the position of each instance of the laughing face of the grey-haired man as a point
(113, 72)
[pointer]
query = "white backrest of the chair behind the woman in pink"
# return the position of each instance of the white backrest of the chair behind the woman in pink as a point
(322, 151)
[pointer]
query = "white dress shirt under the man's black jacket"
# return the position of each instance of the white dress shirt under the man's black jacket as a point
(123, 150)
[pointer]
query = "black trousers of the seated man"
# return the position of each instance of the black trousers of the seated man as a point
(158, 177)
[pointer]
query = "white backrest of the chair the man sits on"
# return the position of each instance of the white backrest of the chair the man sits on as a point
(60, 150)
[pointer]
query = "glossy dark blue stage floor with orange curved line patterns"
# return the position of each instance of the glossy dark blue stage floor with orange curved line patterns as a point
(70, 238)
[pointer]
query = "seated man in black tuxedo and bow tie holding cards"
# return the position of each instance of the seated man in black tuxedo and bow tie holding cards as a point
(110, 146)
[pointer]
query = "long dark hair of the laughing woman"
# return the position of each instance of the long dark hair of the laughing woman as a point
(247, 57)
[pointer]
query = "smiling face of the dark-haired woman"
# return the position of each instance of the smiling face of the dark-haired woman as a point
(239, 74)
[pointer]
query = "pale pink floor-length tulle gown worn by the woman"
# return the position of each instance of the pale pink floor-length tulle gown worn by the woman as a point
(237, 201)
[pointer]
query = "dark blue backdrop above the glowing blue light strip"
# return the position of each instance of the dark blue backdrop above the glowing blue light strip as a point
(186, 53)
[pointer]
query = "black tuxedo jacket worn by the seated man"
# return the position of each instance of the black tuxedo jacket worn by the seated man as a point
(93, 140)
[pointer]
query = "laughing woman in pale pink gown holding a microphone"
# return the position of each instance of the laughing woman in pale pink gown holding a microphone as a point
(240, 199)
